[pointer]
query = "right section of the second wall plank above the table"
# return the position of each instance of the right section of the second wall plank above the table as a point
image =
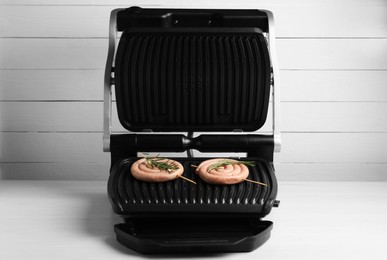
(333, 147)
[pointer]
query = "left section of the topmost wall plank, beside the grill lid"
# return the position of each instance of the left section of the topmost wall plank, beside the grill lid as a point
(55, 21)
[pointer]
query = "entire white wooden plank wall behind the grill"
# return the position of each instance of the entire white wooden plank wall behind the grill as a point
(333, 60)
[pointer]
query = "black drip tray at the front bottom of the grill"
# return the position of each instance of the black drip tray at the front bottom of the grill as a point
(193, 235)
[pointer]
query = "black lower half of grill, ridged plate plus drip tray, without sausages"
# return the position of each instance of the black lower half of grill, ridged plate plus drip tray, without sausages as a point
(180, 217)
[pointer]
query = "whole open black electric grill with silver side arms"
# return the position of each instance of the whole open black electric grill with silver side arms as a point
(177, 72)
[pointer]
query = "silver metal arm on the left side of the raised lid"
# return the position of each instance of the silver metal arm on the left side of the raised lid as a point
(107, 90)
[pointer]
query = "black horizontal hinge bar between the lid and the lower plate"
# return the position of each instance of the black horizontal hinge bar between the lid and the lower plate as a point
(124, 145)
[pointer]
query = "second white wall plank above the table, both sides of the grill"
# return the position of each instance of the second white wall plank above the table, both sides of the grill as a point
(297, 147)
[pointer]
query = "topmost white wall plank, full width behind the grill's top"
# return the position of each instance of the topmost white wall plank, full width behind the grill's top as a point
(296, 19)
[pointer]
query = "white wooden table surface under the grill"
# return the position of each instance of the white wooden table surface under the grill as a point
(74, 220)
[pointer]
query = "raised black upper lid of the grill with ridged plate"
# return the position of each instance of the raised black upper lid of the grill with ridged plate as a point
(204, 78)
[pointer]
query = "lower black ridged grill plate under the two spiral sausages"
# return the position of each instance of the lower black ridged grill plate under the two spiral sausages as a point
(132, 196)
